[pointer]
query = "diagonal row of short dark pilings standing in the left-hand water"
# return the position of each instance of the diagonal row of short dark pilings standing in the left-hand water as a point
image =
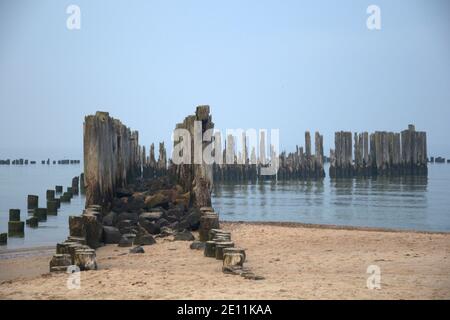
(38, 214)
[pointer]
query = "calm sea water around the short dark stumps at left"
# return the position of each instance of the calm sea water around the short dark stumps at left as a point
(16, 182)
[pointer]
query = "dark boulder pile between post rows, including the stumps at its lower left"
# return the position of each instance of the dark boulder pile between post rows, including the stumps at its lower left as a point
(139, 214)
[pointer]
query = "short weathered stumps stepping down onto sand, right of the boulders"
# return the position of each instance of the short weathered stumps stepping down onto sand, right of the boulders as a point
(219, 245)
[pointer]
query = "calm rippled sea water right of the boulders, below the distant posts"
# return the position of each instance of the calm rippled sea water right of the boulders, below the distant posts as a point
(400, 203)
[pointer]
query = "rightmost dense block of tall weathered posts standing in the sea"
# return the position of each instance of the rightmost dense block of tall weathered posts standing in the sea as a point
(379, 154)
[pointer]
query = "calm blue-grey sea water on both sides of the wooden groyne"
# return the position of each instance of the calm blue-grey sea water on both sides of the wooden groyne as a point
(400, 203)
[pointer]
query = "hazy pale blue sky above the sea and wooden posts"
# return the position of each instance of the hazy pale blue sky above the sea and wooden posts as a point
(292, 65)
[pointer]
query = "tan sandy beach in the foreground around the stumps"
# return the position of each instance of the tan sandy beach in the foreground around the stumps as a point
(297, 262)
